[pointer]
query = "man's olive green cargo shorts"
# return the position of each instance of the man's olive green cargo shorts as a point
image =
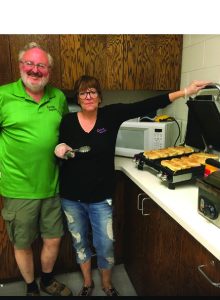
(26, 219)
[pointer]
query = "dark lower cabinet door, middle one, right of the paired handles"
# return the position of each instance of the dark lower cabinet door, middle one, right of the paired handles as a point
(161, 248)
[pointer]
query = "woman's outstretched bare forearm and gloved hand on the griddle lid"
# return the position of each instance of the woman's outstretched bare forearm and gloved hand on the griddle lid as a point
(192, 89)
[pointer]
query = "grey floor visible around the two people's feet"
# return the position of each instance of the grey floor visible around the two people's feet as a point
(74, 282)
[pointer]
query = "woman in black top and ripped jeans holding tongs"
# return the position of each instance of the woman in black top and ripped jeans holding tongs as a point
(87, 179)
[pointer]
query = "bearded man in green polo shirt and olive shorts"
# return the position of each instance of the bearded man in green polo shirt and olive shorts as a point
(30, 114)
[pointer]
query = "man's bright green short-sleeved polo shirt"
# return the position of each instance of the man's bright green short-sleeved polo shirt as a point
(28, 135)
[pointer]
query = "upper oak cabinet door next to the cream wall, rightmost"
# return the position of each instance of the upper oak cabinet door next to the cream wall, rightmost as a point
(152, 61)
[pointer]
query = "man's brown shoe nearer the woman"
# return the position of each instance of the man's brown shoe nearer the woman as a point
(56, 289)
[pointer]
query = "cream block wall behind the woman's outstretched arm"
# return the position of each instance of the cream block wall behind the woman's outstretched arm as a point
(200, 60)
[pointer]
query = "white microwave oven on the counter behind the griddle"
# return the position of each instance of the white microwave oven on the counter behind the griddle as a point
(135, 137)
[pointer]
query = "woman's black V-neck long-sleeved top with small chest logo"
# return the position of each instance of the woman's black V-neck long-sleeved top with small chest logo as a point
(90, 177)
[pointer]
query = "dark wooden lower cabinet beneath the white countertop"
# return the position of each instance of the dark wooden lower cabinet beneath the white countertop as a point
(162, 258)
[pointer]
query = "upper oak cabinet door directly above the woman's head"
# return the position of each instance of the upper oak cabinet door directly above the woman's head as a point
(97, 55)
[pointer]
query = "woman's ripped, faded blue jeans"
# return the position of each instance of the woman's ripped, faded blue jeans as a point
(79, 215)
